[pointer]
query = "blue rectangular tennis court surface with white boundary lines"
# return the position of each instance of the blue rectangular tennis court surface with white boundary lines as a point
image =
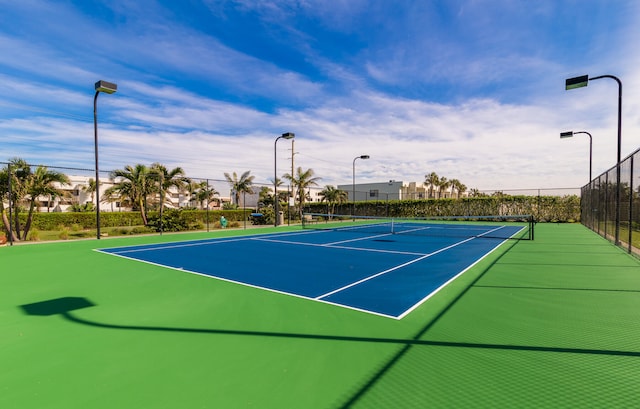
(384, 274)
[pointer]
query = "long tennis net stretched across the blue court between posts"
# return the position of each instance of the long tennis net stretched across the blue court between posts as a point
(517, 227)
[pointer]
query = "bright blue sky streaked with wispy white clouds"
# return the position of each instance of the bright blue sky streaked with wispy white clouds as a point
(469, 89)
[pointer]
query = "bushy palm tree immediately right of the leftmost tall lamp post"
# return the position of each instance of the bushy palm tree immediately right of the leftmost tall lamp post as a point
(134, 184)
